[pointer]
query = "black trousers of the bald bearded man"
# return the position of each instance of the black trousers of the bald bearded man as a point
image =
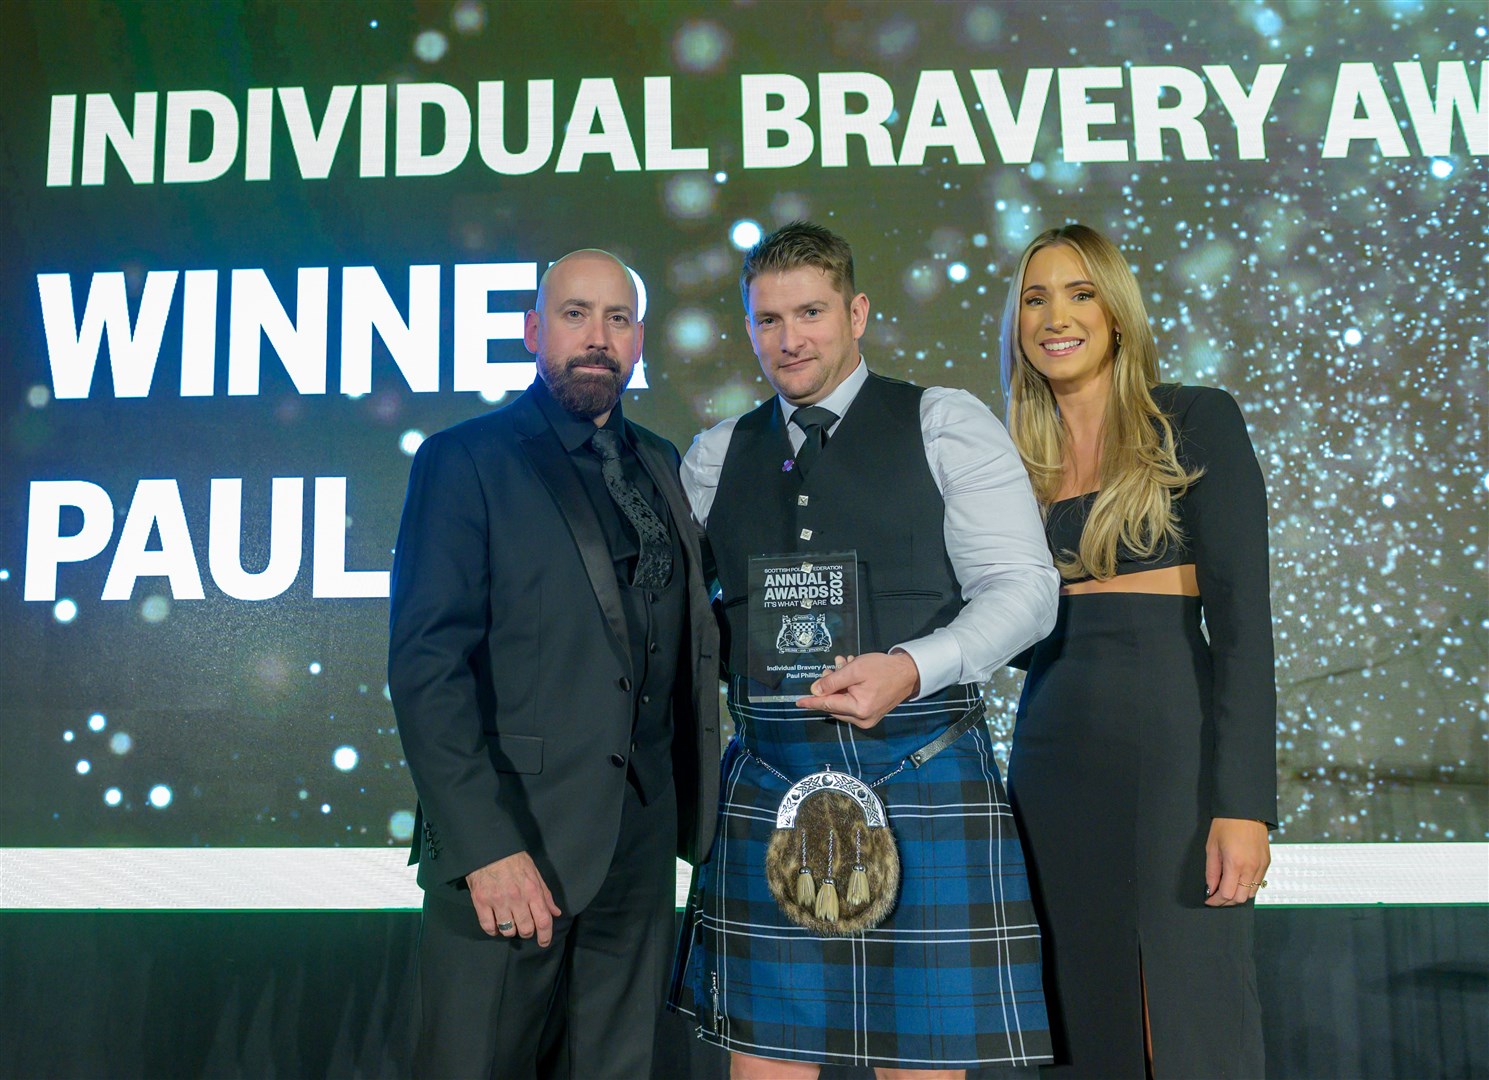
(589, 1002)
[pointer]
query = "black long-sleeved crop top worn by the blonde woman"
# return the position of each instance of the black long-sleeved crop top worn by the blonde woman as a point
(1225, 522)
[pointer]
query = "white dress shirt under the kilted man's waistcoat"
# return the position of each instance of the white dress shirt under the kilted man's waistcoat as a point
(994, 533)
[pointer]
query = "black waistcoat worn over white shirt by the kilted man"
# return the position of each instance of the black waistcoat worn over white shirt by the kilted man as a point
(872, 491)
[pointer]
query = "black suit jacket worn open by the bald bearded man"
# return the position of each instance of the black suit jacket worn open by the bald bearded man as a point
(508, 659)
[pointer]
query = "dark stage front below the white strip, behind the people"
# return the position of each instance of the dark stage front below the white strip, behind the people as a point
(1345, 993)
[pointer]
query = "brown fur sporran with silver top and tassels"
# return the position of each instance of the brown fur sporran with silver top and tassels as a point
(833, 863)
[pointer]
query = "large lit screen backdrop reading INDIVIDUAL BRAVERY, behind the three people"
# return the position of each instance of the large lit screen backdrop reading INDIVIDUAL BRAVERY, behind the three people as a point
(255, 252)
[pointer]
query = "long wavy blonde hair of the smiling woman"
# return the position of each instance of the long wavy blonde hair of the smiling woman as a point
(1140, 470)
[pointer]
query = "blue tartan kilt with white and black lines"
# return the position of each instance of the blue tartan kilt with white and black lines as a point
(951, 979)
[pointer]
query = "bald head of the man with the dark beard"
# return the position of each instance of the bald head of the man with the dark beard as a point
(586, 333)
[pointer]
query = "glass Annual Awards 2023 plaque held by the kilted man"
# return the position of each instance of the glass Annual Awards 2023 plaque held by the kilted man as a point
(803, 613)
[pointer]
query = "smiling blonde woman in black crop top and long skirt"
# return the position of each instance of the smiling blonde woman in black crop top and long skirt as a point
(1144, 763)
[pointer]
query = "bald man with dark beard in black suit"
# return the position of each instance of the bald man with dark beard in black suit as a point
(553, 668)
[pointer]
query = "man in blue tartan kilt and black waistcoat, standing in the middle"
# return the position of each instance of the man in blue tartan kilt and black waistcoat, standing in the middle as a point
(955, 579)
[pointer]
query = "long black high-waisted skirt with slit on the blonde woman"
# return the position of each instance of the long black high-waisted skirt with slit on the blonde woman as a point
(1112, 778)
